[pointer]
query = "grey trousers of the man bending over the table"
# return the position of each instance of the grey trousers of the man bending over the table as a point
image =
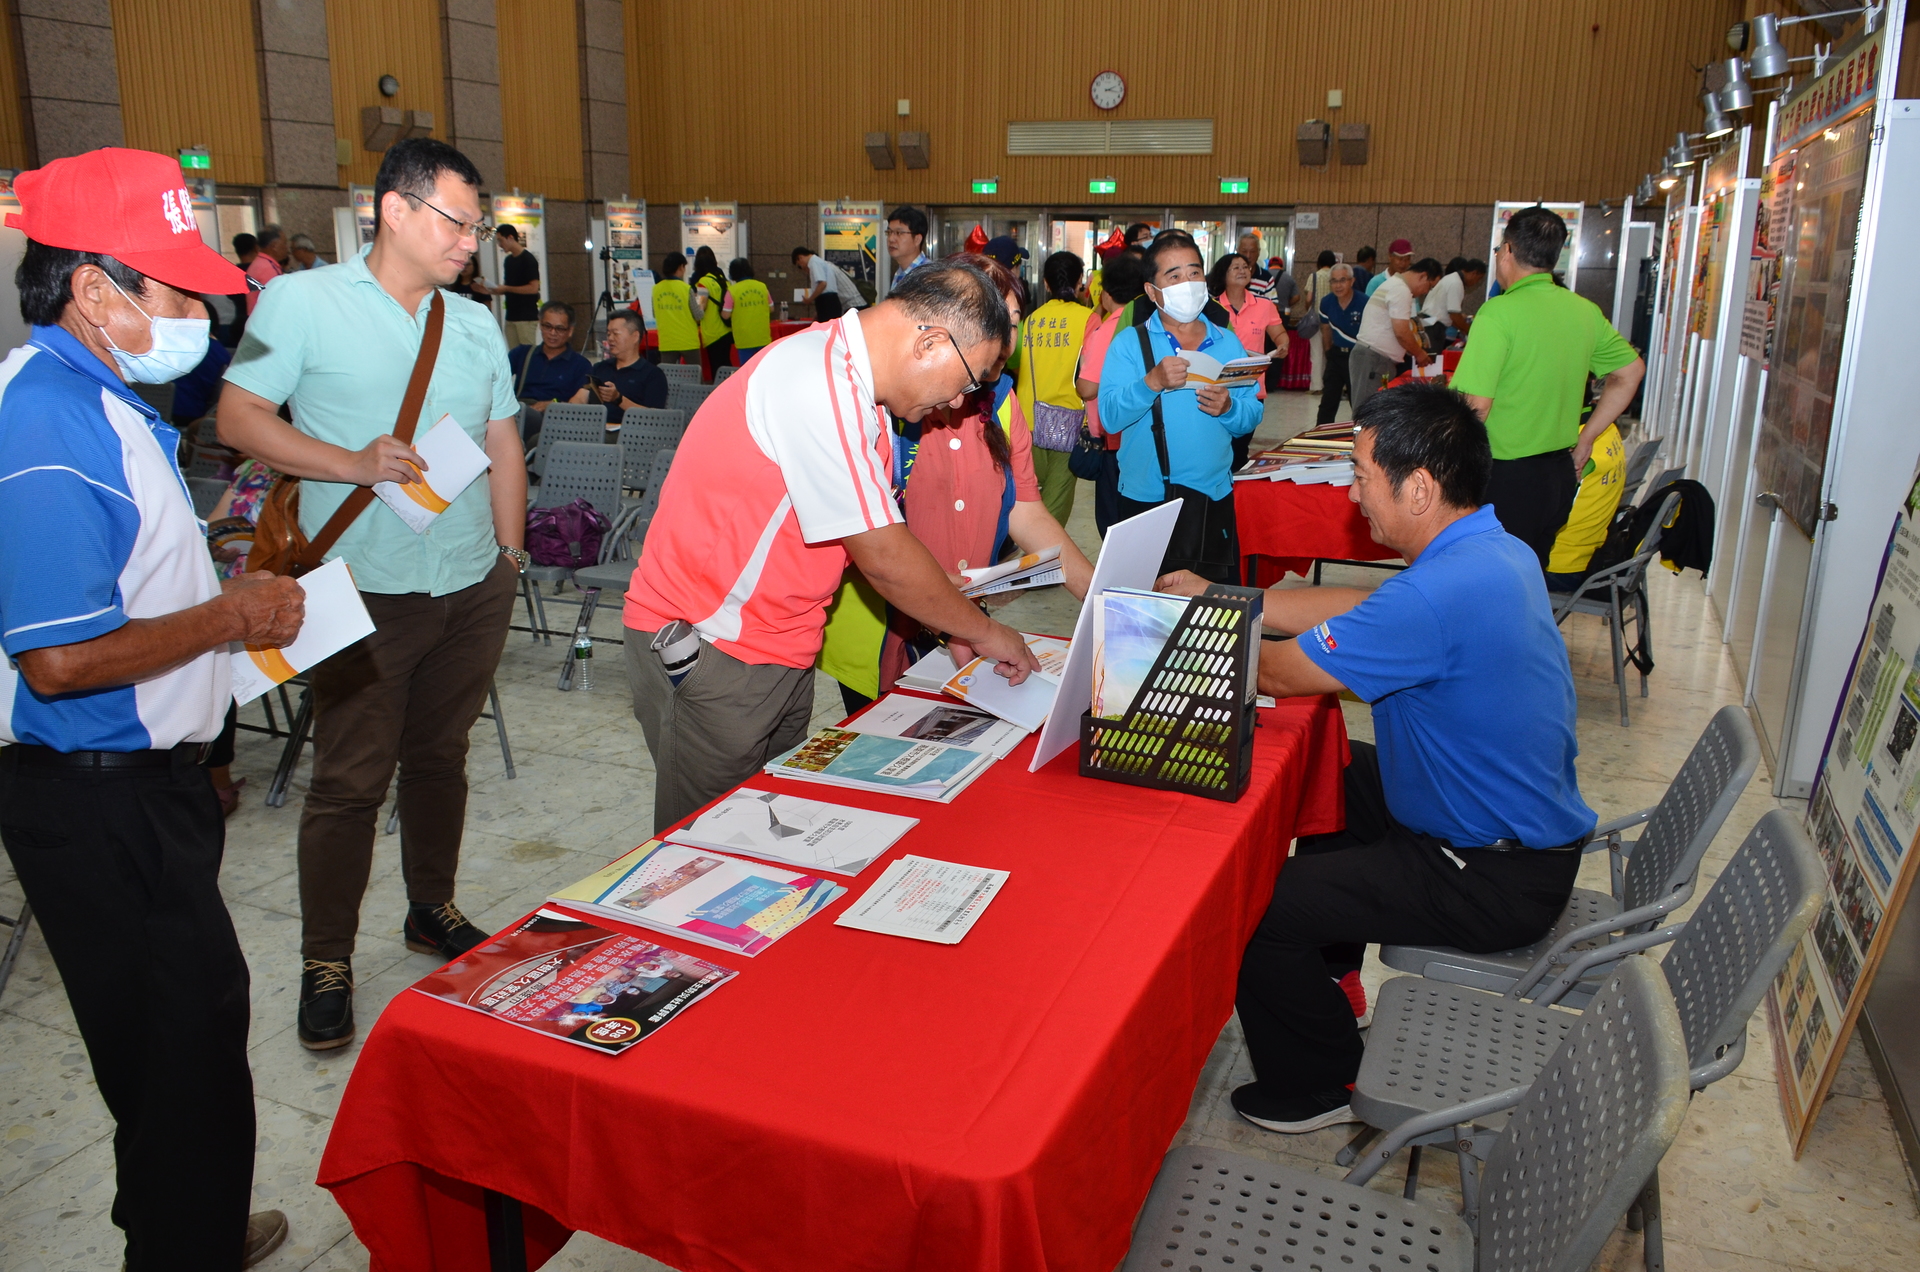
(719, 727)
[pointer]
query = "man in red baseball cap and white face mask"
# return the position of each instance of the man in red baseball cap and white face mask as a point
(116, 679)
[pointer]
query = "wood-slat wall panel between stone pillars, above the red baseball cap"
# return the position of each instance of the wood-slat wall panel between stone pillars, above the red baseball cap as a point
(189, 78)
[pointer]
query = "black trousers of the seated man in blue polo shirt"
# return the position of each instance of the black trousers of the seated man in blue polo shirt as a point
(1374, 883)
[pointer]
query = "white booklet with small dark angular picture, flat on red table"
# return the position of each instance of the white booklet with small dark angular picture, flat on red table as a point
(804, 833)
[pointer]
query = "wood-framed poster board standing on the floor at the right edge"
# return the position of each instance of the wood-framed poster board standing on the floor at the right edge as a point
(1865, 819)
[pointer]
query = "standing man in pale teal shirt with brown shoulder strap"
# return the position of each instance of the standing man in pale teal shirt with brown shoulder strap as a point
(341, 345)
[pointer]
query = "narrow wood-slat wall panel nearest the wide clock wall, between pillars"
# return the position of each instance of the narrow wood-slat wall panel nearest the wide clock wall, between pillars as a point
(540, 97)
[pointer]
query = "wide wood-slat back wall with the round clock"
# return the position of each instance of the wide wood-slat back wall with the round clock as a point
(1470, 103)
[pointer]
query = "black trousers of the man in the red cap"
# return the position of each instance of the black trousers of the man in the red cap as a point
(122, 871)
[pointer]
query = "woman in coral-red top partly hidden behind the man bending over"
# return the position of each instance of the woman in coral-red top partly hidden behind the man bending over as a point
(965, 481)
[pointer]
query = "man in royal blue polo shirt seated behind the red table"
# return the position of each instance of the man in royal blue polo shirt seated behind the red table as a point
(1464, 819)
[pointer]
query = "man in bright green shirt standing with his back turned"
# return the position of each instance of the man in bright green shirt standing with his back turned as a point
(1525, 372)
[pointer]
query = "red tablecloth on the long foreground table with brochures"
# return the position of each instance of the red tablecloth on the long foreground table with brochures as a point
(857, 1100)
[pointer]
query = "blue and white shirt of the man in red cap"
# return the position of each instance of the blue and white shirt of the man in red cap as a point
(97, 529)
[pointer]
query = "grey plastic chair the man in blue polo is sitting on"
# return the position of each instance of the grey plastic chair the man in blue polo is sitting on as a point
(1650, 877)
